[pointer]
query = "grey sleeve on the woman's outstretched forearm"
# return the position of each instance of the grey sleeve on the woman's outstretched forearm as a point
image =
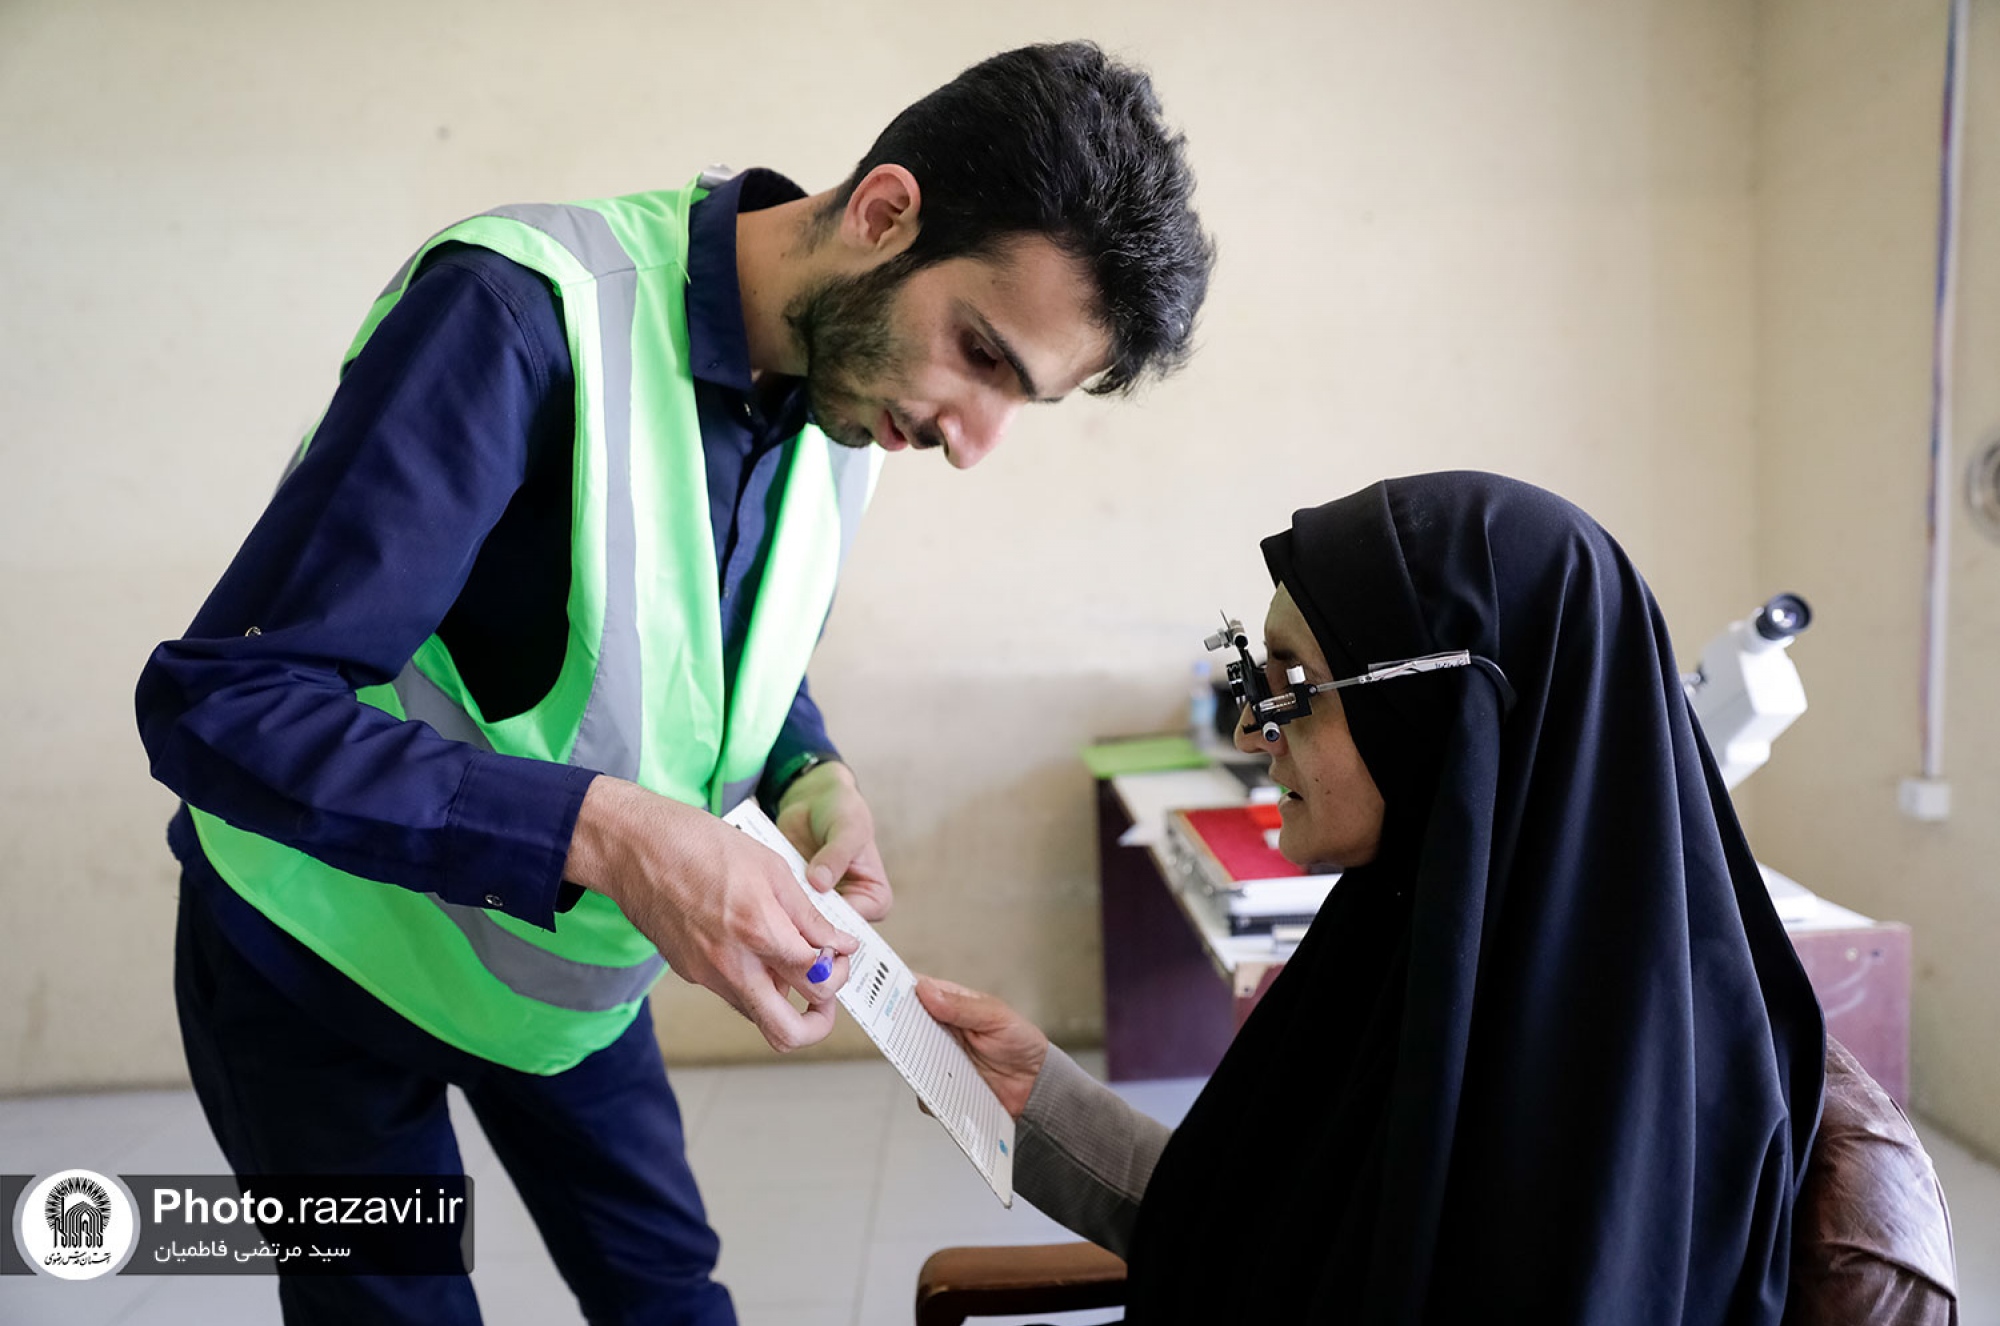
(1085, 1155)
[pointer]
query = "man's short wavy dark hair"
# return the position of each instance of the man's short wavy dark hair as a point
(1065, 143)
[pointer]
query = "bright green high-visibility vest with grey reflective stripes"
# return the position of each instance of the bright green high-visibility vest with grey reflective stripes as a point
(641, 693)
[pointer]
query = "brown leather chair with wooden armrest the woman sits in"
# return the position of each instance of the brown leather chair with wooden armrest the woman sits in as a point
(1873, 1239)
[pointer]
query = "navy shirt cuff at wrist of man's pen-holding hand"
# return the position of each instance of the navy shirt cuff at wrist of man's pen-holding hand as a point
(511, 827)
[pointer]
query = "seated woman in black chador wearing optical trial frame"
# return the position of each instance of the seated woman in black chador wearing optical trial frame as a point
(1547, 1053)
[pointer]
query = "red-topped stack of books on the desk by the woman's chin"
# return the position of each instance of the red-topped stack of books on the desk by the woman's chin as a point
(1229, 861)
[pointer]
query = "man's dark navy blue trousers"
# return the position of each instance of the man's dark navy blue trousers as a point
(331, 1081)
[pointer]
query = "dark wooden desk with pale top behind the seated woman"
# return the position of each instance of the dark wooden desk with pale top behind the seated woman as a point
(1177, 985)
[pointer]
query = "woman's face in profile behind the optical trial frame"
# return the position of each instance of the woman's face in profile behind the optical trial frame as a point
(1333, 811)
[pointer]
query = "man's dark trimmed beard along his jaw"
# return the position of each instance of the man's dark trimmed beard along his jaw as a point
(843, 325)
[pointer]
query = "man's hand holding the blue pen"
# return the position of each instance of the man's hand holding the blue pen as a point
(723, 909)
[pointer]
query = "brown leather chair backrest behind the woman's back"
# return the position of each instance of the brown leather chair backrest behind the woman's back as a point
(1871, 1233)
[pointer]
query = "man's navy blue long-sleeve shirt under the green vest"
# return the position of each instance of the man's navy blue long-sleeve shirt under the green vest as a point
(437, 499)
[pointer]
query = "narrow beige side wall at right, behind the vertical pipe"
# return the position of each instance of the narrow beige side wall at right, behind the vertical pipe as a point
(1849, 101)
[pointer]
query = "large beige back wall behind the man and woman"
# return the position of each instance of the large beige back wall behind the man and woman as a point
(1513, 237)
